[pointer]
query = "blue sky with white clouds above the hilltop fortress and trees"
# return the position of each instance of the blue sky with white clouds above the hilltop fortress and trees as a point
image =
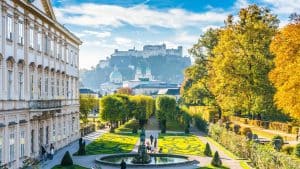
(106, 25)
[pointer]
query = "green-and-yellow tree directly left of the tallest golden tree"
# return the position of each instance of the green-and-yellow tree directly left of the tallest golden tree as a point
(194, 90)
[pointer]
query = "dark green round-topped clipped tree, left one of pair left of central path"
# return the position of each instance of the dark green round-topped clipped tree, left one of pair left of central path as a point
(111, 109)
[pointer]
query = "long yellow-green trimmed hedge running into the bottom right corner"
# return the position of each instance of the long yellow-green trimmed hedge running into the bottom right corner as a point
(262, 156)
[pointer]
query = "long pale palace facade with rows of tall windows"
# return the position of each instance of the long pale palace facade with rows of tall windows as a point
(39, 87)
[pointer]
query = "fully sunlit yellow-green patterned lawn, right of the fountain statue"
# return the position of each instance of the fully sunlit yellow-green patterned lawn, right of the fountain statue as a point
(185, 144)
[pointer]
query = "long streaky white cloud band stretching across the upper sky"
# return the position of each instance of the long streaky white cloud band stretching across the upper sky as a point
(89, 14)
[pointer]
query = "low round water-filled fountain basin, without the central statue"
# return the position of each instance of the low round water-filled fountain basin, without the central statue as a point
(156, 160)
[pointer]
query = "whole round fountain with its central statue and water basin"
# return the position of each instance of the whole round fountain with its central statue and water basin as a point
(143, 159)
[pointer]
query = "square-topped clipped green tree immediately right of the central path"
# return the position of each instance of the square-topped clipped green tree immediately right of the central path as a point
(165, 109)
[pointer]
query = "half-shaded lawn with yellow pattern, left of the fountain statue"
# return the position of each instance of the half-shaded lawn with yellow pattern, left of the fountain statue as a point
(111, 143)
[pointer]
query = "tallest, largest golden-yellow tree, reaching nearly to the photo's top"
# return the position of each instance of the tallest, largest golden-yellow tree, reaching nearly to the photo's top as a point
(238, 73)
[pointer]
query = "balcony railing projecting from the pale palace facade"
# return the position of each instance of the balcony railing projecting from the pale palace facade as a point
(45, 104)
